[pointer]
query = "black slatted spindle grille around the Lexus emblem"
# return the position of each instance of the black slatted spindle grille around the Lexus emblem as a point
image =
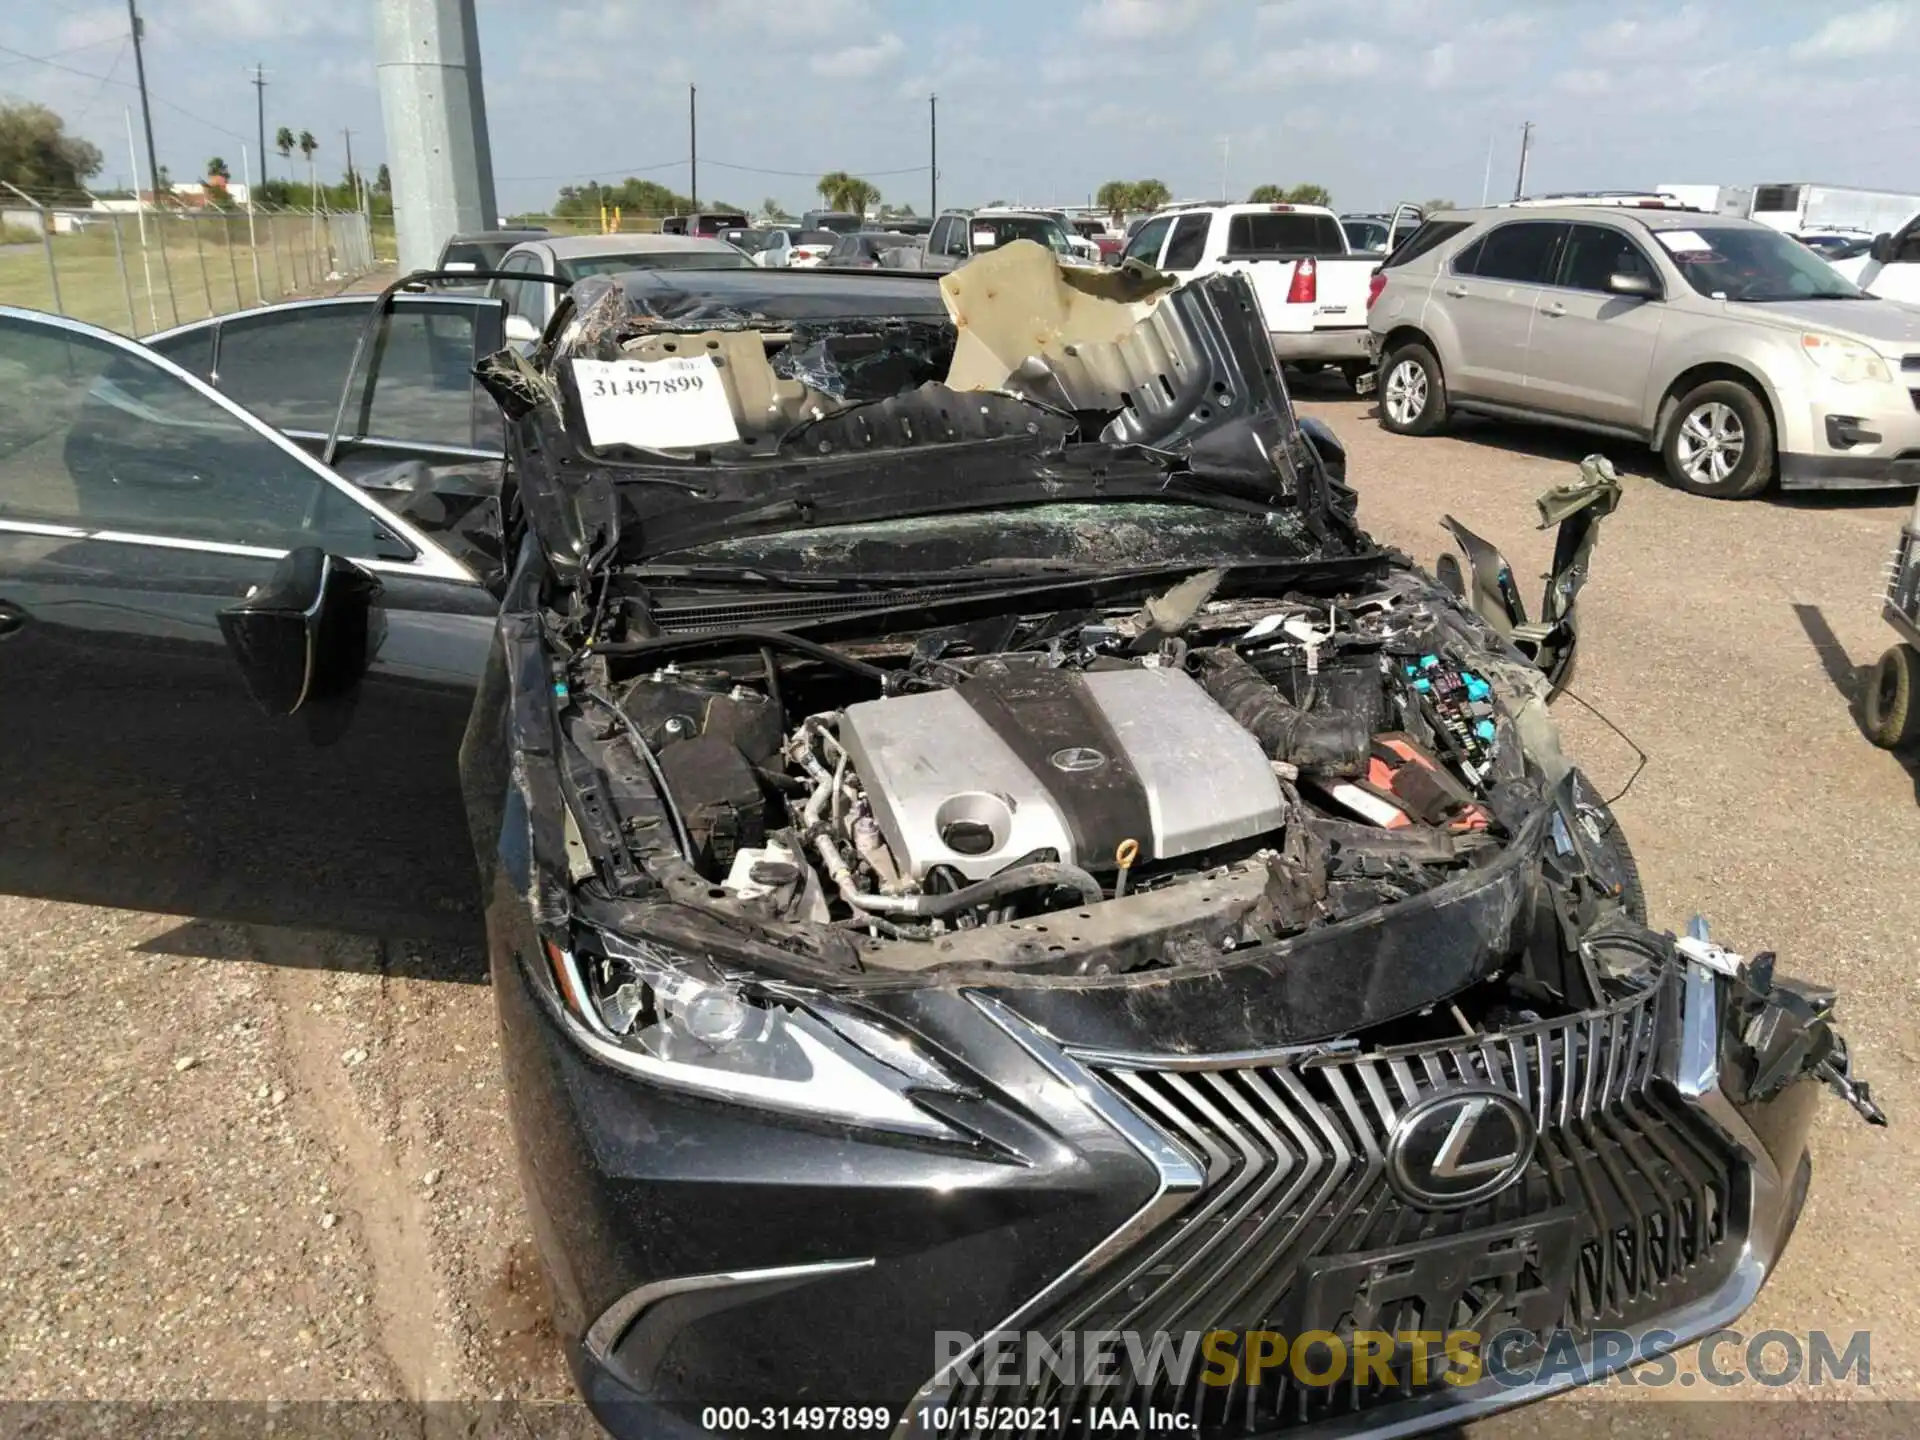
(1621, 1214)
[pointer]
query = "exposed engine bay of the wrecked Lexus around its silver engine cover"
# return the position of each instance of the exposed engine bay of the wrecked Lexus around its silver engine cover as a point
(1224, 771)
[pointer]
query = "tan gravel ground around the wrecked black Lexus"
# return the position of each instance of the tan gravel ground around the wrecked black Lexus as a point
(272, 1166)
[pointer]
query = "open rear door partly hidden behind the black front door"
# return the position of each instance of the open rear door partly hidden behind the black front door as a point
(418, 433)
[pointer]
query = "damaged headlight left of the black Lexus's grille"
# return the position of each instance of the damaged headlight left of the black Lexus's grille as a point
(679, 1022)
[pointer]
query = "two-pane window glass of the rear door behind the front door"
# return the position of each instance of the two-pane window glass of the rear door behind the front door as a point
(289, 368)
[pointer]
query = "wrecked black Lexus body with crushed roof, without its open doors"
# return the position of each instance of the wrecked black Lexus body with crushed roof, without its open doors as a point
(986, 859)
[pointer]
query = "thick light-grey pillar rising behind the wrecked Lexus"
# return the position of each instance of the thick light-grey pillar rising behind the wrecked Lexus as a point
(435, 112)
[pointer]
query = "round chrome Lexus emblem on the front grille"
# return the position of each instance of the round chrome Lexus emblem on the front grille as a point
(1460, 1147)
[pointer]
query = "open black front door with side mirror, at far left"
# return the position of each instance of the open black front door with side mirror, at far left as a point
(231, 684)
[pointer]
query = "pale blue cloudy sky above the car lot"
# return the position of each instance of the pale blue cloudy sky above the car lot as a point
(1042, 101)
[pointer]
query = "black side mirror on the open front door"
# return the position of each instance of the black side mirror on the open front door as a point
(302, 636)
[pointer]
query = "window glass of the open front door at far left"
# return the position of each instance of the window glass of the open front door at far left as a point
(105, 439)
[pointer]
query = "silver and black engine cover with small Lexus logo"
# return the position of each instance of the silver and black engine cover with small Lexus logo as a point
(1074, 761)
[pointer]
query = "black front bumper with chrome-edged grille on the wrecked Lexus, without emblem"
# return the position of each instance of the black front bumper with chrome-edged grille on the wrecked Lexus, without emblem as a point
(708, 1255)
